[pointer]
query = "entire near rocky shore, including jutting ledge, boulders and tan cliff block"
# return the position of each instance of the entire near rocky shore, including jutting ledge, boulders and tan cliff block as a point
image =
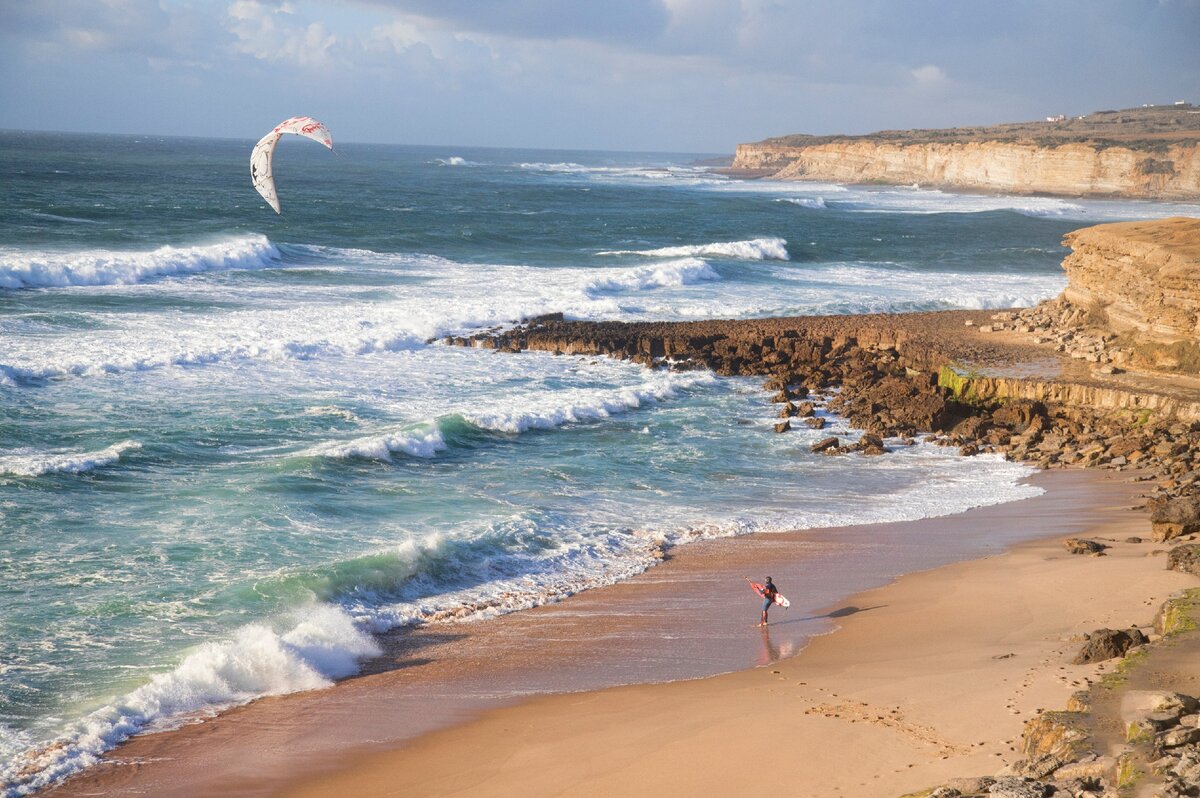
(1046, 386)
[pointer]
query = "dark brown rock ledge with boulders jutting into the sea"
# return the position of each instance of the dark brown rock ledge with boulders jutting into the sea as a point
(896, 377)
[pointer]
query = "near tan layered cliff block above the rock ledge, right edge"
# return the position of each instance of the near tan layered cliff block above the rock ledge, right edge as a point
(1141, 278)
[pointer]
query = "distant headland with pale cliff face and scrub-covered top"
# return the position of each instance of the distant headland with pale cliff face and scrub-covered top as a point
(1147, 154)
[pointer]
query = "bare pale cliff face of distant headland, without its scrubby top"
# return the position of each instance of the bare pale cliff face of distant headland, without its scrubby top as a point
(1010, 167)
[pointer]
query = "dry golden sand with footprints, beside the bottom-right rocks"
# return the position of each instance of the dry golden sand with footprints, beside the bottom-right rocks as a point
(929, 677)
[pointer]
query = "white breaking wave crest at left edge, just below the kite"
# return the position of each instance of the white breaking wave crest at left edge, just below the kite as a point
(39, 269)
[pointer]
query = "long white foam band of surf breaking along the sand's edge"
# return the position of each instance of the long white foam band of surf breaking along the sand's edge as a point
(333, 639)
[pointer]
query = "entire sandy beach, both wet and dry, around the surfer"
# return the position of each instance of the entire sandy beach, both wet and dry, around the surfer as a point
(447, 709)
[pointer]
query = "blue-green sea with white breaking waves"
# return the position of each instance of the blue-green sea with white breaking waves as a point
(232, 449)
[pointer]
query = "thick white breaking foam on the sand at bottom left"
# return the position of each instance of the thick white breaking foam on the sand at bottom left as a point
(256, 662)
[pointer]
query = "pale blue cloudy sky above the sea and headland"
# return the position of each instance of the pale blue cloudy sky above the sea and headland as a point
(682, 76)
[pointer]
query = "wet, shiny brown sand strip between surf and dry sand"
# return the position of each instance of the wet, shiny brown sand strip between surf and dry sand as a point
(446, 682)
